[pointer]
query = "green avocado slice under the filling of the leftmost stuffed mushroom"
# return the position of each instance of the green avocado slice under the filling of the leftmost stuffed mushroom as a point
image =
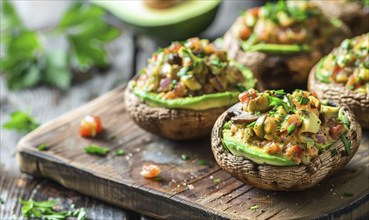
(208, 101)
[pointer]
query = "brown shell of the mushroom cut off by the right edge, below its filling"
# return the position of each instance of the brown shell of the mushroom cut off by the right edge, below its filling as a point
(358, 102)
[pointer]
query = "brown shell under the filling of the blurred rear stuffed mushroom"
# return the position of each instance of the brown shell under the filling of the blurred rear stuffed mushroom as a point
(276, 71)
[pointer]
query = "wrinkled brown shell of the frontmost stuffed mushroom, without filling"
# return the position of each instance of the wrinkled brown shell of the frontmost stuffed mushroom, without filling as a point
(284, 178)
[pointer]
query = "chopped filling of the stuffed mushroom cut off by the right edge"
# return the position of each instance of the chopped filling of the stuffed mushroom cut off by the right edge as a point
(347, 65)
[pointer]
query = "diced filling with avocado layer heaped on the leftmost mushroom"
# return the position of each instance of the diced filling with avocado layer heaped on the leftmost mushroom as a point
(191, 71)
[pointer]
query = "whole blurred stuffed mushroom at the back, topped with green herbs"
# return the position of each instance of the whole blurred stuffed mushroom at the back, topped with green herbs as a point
(281, 42)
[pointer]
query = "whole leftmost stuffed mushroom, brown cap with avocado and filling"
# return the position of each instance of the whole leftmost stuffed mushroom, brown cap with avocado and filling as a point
(184, 88)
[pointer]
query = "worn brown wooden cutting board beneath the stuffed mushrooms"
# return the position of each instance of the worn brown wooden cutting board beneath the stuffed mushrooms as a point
(187, 189)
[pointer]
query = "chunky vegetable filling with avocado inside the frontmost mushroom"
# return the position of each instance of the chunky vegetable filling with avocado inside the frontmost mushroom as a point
(283, 129)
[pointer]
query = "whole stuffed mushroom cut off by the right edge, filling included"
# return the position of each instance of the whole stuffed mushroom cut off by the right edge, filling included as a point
(343, 77)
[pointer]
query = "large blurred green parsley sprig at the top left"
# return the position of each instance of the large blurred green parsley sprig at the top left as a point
(27, 62)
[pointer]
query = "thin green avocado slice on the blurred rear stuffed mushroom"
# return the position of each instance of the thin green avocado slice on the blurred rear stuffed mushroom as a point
(277, 48)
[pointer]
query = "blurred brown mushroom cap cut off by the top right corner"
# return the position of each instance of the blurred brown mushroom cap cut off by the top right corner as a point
(355, 14)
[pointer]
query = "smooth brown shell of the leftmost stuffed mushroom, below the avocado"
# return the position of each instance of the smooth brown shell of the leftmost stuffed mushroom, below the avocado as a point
(176, 124)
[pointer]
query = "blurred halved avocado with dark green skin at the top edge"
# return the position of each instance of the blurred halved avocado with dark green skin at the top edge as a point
(181, 21)
